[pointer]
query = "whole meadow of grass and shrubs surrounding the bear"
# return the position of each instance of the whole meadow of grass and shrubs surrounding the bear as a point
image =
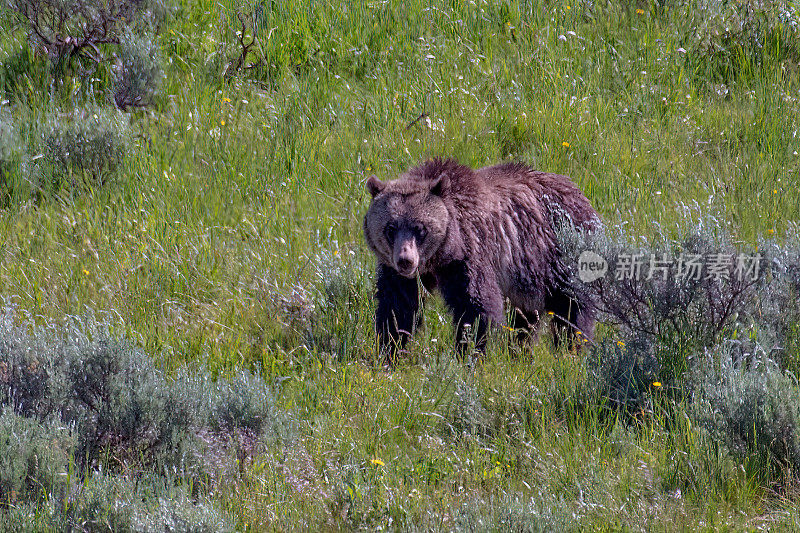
(186, 338)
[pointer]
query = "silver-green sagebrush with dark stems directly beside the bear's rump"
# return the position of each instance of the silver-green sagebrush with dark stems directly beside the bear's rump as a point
(677, 314)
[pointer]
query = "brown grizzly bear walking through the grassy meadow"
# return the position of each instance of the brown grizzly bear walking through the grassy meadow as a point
(478, 237)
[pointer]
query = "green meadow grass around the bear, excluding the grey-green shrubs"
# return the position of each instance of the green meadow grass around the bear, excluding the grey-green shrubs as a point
(232, 239)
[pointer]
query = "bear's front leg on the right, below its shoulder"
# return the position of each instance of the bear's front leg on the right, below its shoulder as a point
(475, 299)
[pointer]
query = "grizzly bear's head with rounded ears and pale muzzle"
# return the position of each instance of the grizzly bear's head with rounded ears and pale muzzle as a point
(407, 222)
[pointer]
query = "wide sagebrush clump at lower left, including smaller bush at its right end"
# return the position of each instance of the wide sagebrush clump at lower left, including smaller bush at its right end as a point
(121, 406)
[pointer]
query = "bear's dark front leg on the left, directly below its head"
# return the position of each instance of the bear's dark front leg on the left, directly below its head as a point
(398, 306)
